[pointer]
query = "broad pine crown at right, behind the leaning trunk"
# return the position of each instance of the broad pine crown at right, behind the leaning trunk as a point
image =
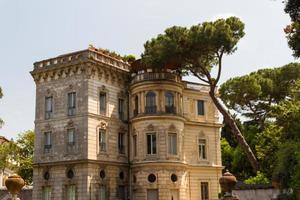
(255, 94)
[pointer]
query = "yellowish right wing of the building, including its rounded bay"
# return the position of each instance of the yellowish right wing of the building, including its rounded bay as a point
(174, 134)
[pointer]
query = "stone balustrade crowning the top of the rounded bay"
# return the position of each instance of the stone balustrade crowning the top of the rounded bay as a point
(148, 76)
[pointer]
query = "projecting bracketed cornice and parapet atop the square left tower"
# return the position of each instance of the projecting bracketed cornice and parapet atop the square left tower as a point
(90, 63)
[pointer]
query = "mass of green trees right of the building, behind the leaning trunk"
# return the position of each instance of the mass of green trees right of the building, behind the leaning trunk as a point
(273, 129)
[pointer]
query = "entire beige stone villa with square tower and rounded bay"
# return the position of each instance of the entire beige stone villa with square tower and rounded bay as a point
(106, 131)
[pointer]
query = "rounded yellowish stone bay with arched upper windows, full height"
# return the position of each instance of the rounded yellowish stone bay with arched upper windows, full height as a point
(157, 135)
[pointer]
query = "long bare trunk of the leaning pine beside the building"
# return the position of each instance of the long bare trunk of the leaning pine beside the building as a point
(235, 130)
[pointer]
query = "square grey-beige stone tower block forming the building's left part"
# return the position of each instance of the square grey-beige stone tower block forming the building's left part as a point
(81, 129)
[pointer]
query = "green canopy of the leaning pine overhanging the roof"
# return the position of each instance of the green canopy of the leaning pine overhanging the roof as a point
(197, 49)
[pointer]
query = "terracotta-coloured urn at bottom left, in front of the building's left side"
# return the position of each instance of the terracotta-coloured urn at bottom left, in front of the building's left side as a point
(14, 185)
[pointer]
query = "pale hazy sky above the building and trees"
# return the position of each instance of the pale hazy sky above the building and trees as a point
(35, 30)
